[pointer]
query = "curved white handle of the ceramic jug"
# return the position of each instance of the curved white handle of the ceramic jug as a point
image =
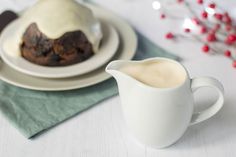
(213, 109)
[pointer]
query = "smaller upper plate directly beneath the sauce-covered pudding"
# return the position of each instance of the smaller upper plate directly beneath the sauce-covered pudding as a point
(106, 51)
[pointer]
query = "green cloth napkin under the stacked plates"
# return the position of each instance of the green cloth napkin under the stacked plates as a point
(32, 112)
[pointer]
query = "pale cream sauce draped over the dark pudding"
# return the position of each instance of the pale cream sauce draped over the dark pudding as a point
(54, 18)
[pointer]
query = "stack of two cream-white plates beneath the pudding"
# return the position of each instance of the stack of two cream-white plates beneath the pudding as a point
(119, 42)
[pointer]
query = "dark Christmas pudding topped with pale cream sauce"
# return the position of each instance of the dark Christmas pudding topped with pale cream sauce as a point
(56, 33)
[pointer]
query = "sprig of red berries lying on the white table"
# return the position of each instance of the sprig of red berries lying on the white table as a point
(221, 30)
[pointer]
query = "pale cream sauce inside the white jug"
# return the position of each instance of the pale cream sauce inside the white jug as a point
(160, 74)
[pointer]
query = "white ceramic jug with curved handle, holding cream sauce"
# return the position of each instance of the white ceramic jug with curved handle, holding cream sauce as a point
(158, 117)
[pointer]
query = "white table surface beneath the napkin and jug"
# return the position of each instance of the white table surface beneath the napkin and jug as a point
(101, 131)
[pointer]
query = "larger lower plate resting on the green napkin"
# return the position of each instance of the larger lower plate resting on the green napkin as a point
(126, 51)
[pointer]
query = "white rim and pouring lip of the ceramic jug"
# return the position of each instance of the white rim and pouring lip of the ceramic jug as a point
(110, 68)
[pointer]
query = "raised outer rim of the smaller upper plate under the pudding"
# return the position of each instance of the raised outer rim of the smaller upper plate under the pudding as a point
(72, 72)
